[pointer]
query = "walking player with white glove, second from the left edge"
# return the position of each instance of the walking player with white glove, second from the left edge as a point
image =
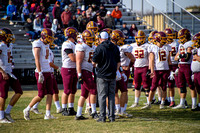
(40, 49)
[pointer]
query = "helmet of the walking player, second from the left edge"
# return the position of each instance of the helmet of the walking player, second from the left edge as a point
(47, 35)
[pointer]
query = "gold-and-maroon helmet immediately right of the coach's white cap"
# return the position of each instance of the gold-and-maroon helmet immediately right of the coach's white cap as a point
(117, 37)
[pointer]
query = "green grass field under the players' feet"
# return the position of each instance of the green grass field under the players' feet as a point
(153, 120)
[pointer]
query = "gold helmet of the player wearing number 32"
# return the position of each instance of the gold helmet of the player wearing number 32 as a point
(140, 37)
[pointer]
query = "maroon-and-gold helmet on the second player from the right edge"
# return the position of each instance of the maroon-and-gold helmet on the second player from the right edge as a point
(184, 36)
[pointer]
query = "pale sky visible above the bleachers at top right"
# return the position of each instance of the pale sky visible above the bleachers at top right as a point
(160, 4)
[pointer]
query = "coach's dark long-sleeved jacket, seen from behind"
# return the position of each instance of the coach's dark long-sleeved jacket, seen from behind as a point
(106, 55)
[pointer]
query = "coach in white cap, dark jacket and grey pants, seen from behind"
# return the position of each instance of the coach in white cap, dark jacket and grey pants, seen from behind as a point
(107, 59)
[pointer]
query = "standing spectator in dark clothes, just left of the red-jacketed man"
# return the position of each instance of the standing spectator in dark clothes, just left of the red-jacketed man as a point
(56, 12)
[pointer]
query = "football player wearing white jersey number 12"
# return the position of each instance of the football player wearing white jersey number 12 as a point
(159, 65)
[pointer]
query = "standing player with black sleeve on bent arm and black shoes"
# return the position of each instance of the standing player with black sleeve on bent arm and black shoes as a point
(68, 71)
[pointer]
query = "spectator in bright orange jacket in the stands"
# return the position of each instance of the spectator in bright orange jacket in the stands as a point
(117, 15)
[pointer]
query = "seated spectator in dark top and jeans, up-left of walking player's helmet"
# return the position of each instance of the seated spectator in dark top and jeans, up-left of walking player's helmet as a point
(29, 30)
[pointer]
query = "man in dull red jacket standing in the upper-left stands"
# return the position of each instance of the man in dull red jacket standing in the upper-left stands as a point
(66, 16)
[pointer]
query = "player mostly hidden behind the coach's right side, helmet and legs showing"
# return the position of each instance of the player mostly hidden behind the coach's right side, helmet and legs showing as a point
(117, 37)
